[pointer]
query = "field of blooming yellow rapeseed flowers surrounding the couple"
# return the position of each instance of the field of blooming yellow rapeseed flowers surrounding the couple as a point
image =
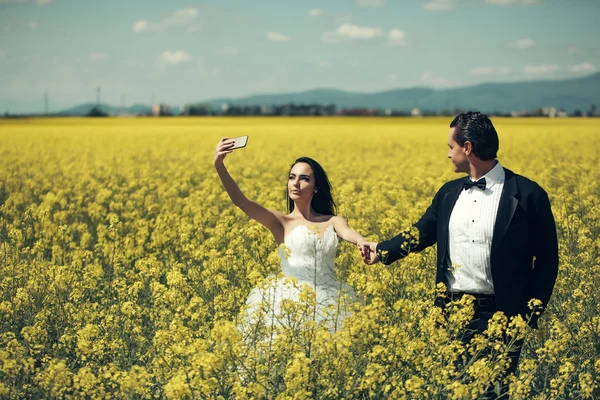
(125, 267)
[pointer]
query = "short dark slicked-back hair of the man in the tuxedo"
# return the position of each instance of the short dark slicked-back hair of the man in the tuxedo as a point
(476, 128)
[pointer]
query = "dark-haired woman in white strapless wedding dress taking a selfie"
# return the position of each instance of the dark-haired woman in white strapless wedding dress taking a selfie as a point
(307, 237)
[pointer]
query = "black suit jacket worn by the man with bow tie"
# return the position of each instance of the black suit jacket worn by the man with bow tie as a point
(524, 255)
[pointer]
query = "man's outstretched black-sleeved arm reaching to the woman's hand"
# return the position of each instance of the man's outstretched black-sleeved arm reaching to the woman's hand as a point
(423, 235)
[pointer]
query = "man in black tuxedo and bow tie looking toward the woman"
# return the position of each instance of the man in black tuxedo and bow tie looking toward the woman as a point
(494, 229)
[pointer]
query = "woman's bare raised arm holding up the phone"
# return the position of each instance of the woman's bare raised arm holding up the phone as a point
(271, 219)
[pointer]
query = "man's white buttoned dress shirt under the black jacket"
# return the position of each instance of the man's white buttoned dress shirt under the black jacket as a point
(470, 235)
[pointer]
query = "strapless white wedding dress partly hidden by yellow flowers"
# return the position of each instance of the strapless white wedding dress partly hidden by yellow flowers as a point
(308, 267)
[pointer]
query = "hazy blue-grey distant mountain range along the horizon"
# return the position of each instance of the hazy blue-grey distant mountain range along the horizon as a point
(568, 95)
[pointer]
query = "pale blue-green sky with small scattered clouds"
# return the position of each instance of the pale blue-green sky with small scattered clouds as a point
(184, 51)
